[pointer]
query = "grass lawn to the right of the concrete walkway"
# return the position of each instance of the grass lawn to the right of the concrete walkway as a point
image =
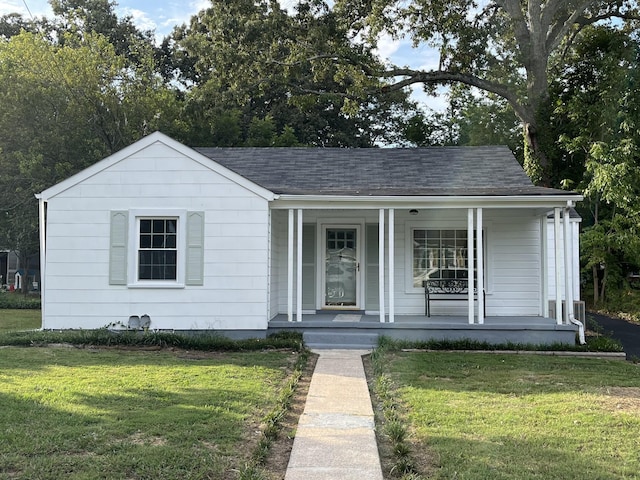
(484, 416)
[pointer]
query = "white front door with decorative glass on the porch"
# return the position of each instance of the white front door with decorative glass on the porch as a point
(341, 267)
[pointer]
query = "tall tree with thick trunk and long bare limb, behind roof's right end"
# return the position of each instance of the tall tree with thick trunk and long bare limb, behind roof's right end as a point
(504, 47)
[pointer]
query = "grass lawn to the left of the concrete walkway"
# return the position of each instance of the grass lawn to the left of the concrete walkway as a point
(112, 413)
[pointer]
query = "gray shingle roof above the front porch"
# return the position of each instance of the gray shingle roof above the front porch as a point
(448, 171)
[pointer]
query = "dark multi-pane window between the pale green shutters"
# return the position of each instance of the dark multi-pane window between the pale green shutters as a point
(158, 249)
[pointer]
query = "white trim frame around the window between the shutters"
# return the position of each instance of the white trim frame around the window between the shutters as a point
(134, 242)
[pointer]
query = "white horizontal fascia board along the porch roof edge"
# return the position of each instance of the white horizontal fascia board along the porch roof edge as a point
(361, 203)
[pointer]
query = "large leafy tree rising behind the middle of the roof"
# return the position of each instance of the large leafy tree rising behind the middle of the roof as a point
(239, 62)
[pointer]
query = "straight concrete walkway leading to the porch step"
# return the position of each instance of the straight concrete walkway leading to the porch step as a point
(335, 438)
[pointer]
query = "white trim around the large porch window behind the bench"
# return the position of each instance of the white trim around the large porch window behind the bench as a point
(442, 225)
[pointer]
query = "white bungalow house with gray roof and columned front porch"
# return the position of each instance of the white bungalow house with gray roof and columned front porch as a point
(246, 241)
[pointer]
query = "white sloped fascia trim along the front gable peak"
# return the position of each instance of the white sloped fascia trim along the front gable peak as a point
(156, 137)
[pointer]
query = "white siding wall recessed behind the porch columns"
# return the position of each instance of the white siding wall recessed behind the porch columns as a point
(512, 258)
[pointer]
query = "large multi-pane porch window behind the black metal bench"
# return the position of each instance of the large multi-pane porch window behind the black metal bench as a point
(439, 254)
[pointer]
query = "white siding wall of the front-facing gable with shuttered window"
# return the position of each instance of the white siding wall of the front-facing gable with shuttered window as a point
(234, 294)
